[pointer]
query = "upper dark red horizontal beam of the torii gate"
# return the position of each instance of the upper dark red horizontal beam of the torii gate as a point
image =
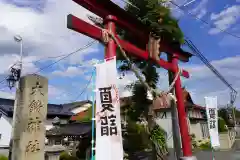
(103, 8)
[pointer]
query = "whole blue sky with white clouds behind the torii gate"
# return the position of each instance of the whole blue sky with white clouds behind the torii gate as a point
(42, 24)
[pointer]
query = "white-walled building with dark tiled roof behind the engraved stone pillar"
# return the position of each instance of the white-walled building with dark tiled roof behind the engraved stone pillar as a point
(63, 111)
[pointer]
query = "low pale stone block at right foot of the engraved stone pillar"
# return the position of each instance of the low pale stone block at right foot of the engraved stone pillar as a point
(53, 152)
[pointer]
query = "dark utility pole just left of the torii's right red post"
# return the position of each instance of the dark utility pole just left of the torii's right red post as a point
(175, 126)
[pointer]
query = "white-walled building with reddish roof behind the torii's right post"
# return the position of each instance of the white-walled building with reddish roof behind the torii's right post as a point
(196, 117)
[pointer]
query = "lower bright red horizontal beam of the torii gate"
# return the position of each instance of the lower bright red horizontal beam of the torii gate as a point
(94, 32)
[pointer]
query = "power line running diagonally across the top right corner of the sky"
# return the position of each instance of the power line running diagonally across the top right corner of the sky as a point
(204, 21)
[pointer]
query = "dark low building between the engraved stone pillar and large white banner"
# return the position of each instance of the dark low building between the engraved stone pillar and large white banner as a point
(75, 137)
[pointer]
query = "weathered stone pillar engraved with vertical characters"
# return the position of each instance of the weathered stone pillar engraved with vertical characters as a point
(31, 110)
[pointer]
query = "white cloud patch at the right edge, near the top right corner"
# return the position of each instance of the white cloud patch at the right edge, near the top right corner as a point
(225, 19)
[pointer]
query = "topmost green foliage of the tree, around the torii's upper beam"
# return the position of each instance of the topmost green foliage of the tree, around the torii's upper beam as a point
(157, 17)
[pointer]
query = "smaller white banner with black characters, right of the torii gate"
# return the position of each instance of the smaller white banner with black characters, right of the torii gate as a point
(212, 116)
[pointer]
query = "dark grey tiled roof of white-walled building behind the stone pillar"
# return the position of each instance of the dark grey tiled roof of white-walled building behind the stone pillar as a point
(6, 106)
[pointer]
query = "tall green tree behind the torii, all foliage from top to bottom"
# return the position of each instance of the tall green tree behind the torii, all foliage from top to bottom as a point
(162, 25)
